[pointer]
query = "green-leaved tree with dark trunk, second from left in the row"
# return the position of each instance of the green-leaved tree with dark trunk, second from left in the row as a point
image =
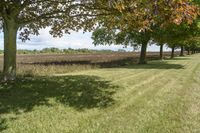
(103, 36)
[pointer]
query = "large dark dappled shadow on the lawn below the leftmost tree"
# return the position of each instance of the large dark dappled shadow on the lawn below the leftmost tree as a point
(79, 92)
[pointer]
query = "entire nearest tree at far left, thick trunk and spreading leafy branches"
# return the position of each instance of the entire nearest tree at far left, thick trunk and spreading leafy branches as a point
(28, 16)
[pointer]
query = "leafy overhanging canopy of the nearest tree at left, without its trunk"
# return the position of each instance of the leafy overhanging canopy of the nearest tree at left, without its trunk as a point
(31, 16)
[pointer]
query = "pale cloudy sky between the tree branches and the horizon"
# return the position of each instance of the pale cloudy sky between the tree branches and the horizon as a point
(74, 40)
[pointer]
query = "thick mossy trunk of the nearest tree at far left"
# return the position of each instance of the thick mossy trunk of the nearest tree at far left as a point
(10, 34)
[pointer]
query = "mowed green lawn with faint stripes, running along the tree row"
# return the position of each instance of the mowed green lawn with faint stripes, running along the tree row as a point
(161, 97)
